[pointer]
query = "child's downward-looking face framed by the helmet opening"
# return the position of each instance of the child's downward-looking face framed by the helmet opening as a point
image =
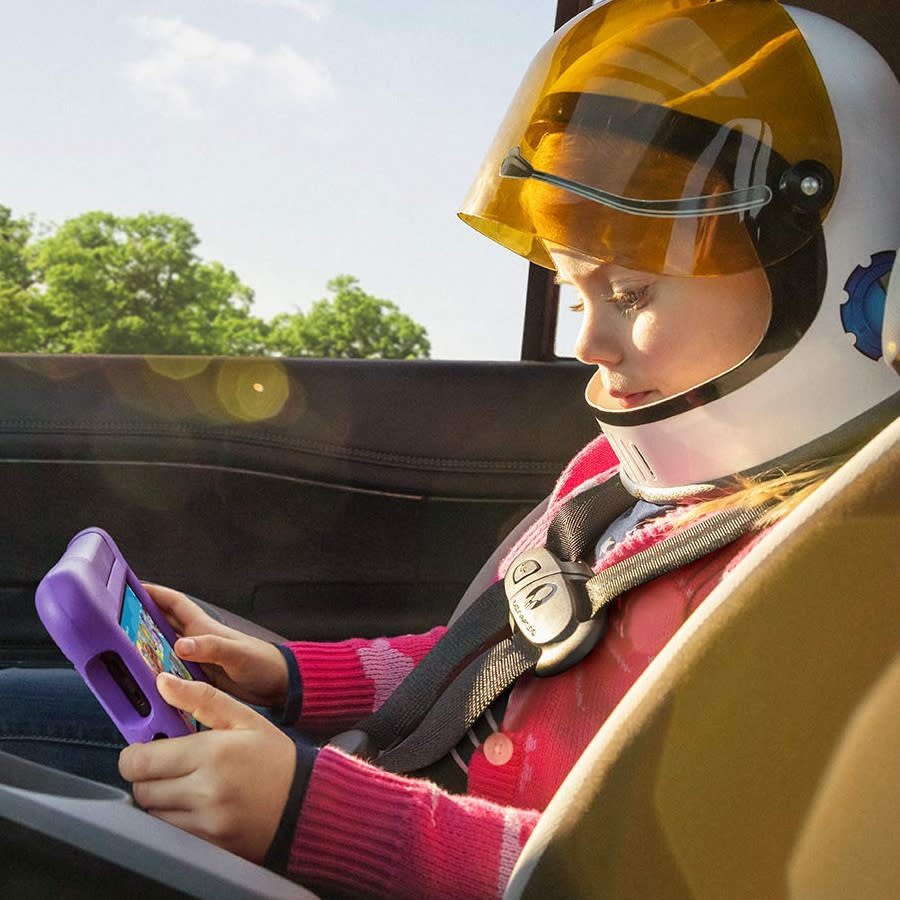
(653, 336)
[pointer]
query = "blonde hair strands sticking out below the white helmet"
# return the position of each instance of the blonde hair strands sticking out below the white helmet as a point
(783, 490)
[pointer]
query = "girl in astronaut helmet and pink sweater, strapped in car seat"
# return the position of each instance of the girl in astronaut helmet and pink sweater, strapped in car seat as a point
(717, 182)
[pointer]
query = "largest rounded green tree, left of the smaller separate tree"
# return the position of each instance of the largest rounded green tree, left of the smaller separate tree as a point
(108, 284)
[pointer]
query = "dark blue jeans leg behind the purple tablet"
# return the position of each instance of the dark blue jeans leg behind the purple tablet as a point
(51, 717)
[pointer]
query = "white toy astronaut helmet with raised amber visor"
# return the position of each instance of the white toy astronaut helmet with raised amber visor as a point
(734, 133)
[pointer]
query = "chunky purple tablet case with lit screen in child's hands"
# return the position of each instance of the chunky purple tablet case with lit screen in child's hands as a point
(82, 601)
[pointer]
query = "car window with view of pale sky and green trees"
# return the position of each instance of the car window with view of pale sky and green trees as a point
(185, 172)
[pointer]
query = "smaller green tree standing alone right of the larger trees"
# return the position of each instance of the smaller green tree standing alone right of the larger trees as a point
(352, 324)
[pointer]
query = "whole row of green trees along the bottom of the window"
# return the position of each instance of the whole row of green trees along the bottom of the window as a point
(107, 284)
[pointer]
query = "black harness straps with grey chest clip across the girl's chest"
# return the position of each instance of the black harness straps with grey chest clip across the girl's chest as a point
(546, 615)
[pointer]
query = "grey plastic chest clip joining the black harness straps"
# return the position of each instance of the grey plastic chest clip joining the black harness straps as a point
(549, 607)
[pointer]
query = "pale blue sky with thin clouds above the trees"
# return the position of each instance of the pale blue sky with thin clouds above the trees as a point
(302, 138)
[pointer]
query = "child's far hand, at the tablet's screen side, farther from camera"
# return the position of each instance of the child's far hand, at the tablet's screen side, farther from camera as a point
(244, 666)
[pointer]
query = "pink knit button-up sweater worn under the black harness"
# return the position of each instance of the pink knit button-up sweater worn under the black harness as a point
(366, 833)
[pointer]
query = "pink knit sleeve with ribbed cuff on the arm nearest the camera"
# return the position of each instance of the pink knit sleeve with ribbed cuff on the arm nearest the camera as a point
(367, 833)
